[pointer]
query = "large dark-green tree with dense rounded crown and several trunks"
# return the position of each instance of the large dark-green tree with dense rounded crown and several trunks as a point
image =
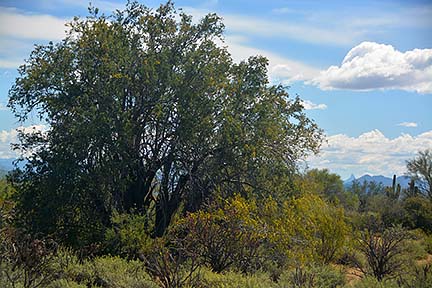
(146, 110)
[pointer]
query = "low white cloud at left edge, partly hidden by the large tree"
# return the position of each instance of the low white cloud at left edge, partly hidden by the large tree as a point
(7, 137)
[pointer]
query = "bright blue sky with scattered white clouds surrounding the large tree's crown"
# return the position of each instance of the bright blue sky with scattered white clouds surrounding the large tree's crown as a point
(363, 68)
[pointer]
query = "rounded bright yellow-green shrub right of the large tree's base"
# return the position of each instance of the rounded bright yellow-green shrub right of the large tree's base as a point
(306, 229)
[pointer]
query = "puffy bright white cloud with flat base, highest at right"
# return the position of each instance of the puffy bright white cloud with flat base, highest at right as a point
(370, 66)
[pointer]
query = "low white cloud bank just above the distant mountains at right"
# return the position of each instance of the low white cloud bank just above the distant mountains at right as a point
(371, 152)
